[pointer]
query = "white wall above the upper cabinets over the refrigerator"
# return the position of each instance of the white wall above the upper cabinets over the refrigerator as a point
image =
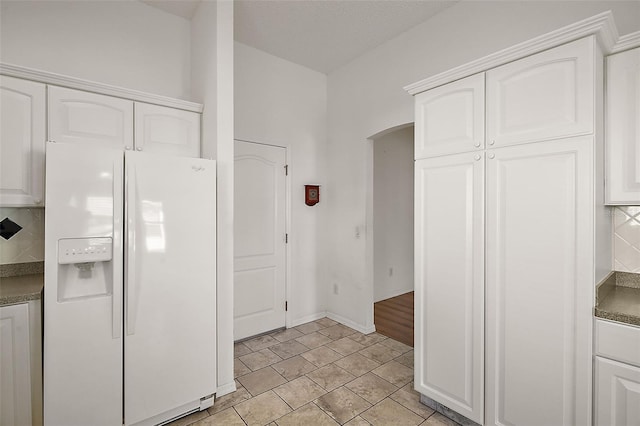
(123, 43)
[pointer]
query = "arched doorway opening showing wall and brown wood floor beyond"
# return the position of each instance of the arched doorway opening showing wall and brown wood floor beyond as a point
(390, 216)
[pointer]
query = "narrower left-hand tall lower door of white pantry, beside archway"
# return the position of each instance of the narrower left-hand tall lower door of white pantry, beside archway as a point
(449, 286)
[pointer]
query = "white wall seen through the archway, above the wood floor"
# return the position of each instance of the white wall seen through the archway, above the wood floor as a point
(393, 214)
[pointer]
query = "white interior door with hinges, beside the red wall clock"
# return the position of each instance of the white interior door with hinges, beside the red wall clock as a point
(259, 233)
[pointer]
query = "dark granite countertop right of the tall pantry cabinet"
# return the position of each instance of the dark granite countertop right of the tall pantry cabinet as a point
(618, 298)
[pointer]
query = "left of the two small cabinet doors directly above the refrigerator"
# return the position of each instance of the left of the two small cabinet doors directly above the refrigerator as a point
(87, 118)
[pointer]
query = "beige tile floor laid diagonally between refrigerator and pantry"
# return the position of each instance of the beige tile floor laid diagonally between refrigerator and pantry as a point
(320, 373)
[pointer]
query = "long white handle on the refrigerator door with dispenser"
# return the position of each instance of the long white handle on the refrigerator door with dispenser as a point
(116, 314)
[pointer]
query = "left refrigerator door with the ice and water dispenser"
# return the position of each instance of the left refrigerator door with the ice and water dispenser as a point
(82, 301)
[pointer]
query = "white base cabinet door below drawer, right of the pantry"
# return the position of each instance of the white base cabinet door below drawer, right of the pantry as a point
(617, 393)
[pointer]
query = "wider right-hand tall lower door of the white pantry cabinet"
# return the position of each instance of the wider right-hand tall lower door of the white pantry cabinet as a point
(539, 296)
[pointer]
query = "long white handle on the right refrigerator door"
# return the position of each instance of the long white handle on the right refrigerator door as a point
(131, 248)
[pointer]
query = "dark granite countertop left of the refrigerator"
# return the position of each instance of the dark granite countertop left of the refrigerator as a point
(20, 283)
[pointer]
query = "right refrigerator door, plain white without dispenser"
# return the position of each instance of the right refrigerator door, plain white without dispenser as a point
(170, 291)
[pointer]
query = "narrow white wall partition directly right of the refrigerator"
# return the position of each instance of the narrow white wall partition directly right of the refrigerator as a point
(212, 75)
